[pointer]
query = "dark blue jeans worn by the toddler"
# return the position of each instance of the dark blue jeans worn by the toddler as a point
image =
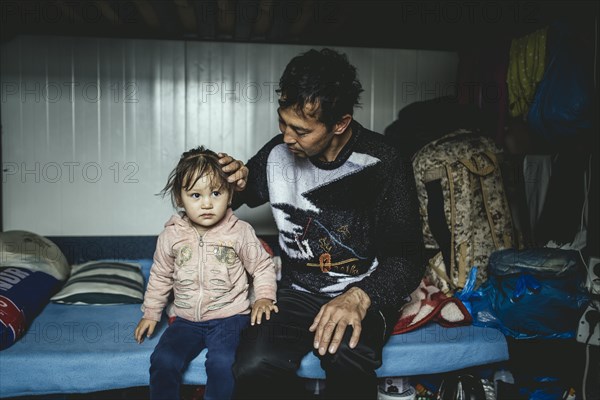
(182, 341)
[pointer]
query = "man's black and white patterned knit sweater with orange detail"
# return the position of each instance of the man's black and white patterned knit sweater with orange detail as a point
(350, 222)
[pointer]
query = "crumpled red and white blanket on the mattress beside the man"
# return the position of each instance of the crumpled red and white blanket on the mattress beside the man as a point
(428, 303)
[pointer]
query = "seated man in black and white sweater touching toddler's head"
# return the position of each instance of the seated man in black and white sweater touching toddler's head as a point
(346, 209)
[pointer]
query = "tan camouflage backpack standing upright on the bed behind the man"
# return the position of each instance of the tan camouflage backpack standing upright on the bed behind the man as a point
(475, 207)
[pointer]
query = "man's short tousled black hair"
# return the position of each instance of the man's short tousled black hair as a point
(324, 78)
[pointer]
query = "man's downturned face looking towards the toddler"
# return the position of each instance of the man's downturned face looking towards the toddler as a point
(304, 135)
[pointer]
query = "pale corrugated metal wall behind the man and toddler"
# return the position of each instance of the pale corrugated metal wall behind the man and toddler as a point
(92, 127)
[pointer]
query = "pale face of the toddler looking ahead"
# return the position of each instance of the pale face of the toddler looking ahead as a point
(204, 204)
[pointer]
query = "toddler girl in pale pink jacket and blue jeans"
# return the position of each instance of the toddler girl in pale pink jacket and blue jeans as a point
(203, 256)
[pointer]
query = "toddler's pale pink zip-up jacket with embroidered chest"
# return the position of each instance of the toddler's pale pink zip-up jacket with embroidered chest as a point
(207, 274)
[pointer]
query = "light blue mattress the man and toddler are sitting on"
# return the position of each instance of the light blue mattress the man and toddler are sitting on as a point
(78, 349)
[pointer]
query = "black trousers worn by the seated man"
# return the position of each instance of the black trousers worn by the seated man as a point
(270, 353)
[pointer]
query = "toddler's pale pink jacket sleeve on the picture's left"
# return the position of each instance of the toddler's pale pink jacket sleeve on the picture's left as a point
(160, 283)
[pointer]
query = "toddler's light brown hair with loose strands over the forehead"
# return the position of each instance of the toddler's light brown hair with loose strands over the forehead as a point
(193, 165)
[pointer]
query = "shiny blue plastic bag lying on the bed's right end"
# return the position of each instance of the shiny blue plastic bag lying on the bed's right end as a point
(536, 293)
